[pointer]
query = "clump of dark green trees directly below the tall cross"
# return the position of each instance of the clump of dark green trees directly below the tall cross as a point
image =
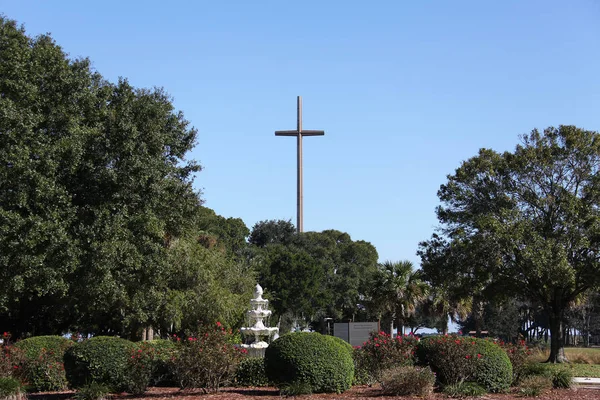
(314, 274)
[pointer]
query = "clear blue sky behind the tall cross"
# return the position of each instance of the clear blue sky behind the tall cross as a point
(405, 91)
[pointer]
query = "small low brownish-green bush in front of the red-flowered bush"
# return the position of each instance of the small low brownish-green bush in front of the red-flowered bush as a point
(407, 381)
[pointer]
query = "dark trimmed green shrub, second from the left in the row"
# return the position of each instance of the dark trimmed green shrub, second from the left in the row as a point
(102, 360)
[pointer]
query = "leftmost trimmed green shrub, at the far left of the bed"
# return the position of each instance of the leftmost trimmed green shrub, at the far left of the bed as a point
(43, 367)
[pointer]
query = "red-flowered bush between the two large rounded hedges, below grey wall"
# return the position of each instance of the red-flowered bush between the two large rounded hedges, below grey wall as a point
(381, 352)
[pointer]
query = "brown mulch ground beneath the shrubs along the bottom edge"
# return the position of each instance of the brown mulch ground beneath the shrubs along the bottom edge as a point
(356, 393)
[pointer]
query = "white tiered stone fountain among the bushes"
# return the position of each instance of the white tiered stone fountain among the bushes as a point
(256, 334)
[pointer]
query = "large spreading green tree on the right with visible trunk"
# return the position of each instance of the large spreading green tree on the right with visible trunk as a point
(529, 219)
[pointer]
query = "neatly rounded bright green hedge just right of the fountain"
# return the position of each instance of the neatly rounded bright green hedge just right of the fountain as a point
(323, 363)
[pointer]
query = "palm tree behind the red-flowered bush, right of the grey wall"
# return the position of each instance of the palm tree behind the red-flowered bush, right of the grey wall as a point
(397, 291)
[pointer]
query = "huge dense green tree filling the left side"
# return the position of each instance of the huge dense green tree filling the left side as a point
(94, 185)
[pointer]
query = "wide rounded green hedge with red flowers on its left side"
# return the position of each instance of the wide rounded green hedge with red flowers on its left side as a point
(456, 359)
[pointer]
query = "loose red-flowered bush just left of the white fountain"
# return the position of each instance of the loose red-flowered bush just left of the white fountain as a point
(207, 360)
